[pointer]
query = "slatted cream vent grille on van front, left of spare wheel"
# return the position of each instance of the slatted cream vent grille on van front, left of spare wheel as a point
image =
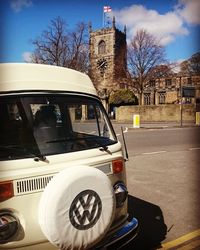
(31, 185)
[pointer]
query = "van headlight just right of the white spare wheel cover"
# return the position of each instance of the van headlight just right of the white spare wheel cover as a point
(121, 193)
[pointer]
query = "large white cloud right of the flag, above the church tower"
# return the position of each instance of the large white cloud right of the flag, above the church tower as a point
(163, 26)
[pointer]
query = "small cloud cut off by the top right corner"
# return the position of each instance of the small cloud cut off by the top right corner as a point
(189, 10)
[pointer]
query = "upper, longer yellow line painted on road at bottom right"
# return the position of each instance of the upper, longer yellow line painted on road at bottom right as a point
(181, 240)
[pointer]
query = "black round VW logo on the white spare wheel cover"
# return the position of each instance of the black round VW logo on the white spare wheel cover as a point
(85, 210)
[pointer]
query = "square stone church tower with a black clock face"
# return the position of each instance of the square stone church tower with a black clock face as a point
(108, 58)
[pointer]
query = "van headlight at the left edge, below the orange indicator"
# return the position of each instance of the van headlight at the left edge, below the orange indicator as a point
(9, 226)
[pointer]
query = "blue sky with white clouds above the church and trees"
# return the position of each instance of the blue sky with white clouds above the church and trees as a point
(176, 23)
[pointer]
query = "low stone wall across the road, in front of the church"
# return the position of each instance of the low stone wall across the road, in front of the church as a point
(157, 113)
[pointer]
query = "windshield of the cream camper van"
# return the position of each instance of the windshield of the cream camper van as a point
(45, 124)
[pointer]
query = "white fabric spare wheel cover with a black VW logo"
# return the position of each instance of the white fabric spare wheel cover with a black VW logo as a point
(77, 207)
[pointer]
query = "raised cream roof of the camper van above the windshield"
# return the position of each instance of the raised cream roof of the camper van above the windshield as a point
(34, 77)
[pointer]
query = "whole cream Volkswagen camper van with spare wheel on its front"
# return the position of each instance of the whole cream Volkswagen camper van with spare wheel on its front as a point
(62, 169)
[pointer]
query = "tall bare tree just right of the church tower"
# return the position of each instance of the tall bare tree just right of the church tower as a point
(144, 53)
